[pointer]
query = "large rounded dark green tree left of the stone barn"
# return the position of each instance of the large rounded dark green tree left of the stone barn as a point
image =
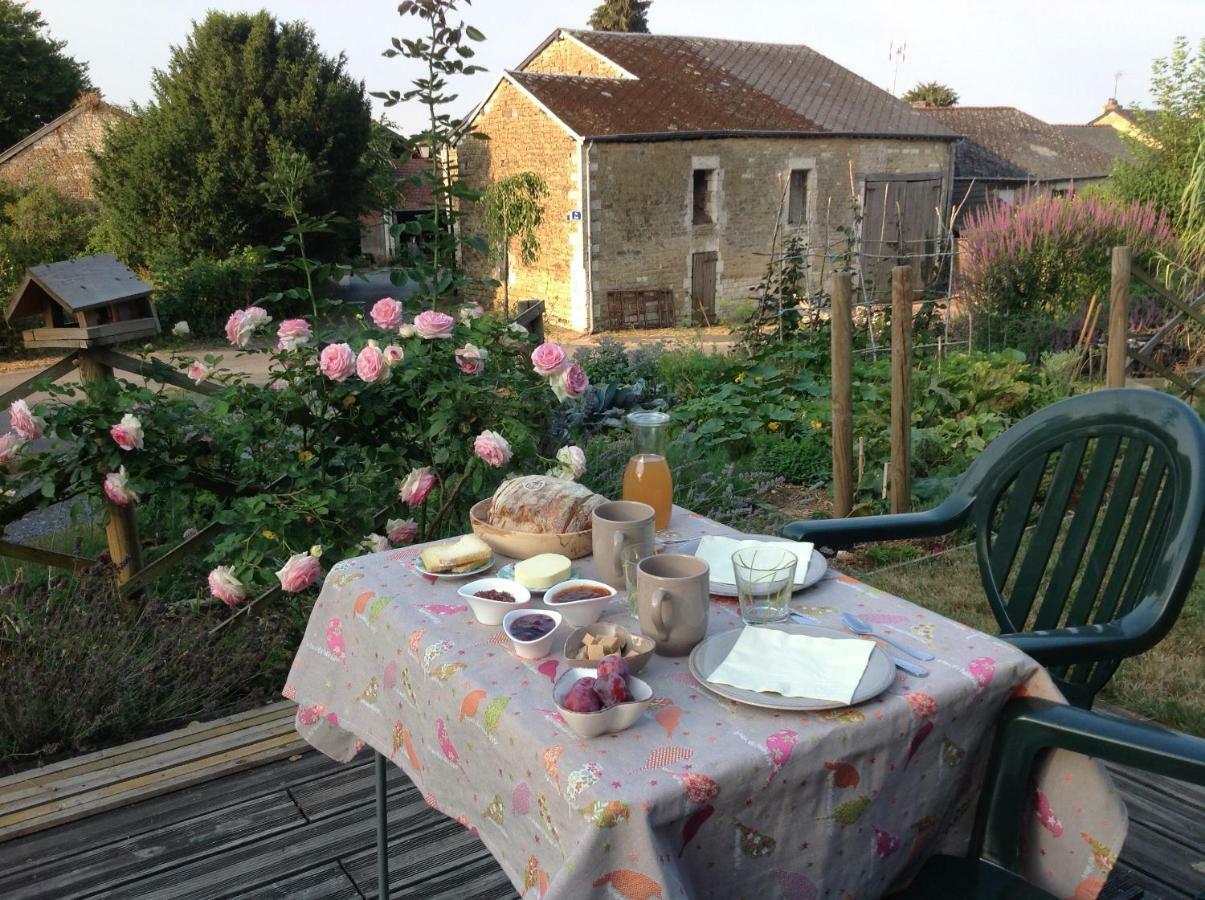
(183, 175)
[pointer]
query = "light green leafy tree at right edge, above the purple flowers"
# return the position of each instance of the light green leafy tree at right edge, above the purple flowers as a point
(1168, 140)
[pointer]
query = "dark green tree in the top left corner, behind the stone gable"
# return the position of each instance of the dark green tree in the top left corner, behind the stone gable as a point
(40, 81)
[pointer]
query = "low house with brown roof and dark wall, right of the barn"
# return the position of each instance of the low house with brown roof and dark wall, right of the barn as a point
(1006, 151)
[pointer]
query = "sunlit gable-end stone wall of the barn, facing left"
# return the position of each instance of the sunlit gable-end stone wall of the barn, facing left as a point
(525, 138)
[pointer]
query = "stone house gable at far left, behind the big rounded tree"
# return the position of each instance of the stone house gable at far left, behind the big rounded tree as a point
(60, 154)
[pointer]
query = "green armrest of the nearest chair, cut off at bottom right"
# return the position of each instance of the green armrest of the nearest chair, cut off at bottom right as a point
(1031, 726)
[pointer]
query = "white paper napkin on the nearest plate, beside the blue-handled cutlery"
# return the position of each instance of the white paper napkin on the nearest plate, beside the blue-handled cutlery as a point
(795, 666)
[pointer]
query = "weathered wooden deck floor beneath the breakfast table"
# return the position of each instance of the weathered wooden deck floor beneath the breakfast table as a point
(242, 808)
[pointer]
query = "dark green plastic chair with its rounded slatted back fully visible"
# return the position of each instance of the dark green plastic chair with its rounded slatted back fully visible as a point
(1110, 490)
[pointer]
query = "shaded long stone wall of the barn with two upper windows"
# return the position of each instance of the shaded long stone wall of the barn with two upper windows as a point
(642, 227)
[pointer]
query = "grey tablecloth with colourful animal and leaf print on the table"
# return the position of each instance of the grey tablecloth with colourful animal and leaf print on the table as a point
(703, 798)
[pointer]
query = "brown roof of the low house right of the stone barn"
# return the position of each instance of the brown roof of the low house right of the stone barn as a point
(1004, 144)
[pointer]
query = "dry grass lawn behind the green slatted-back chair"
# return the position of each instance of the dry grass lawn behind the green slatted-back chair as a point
(1167, 684)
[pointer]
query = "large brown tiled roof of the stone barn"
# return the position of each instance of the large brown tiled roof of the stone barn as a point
(703, 85)
